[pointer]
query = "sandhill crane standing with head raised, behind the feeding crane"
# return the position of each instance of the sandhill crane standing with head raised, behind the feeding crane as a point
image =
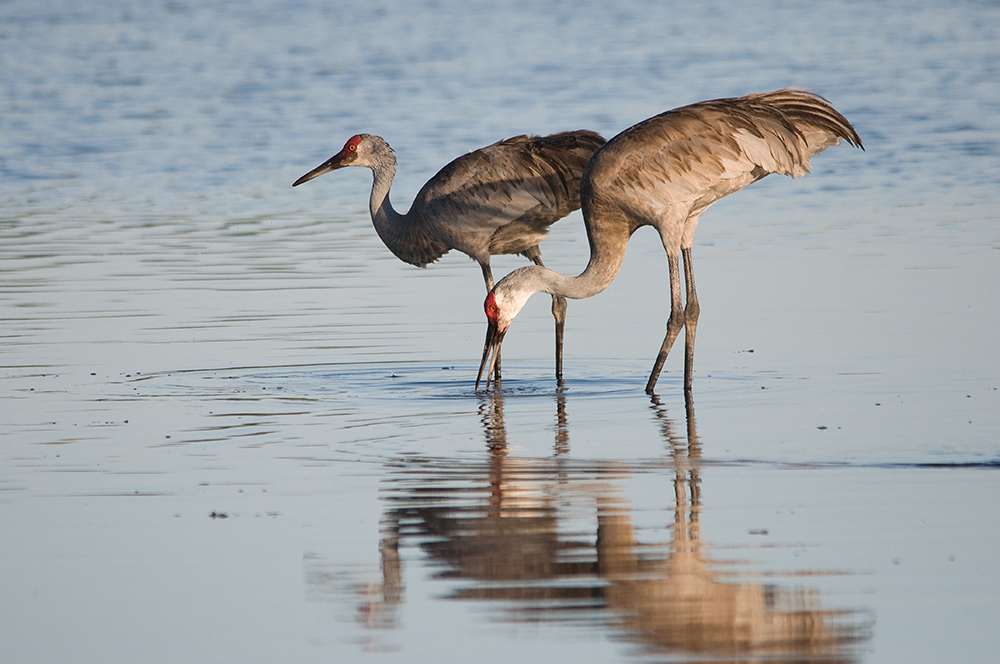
(499, 199)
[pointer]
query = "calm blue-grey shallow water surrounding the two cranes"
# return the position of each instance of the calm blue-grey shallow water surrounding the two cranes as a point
(236, 428)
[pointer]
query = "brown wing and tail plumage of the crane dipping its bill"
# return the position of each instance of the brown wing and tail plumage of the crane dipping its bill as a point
(683, 160)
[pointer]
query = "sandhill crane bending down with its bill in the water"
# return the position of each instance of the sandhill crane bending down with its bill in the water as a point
(665, 172)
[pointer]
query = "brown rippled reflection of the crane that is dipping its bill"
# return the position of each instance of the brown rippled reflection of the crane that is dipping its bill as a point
(681, 602)
